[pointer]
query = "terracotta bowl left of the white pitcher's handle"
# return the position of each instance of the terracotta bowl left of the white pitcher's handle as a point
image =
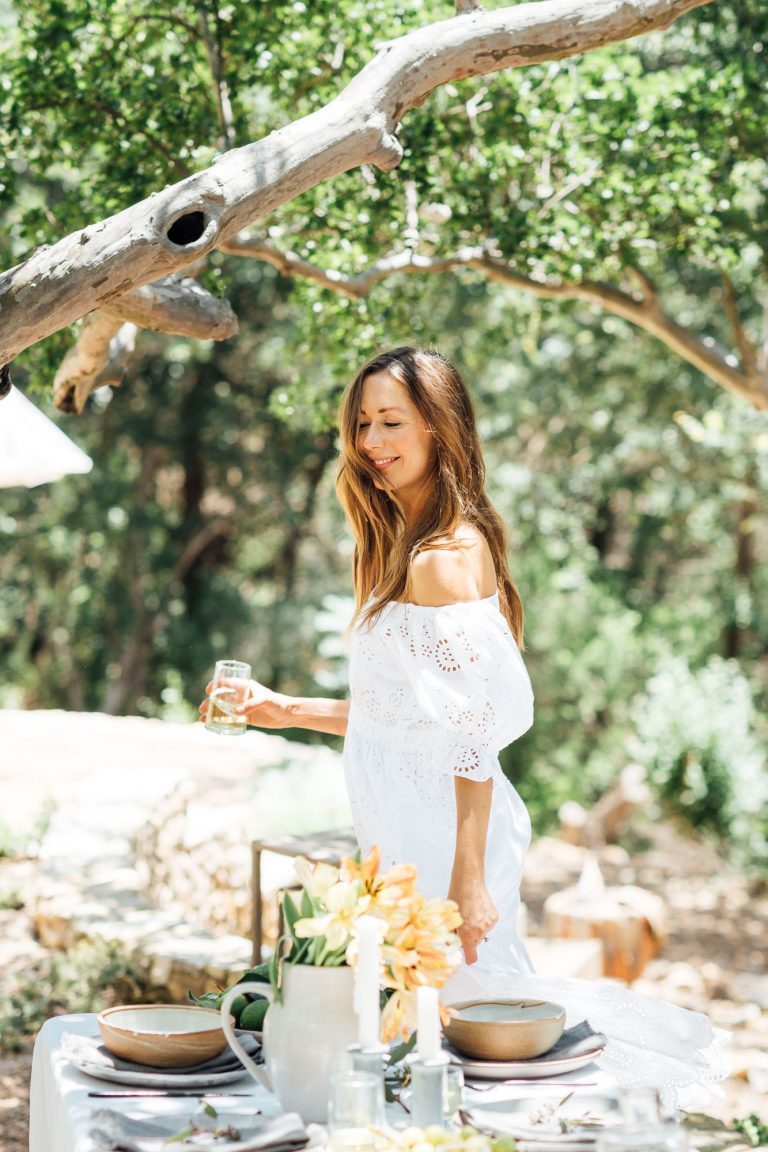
(165, 1036)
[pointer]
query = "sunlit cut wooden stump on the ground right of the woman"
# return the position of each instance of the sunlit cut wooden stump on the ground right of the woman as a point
(629, 921)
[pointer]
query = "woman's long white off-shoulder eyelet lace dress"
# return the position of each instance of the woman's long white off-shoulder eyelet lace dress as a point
(438, 693)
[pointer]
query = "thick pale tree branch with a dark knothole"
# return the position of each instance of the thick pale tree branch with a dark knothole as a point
(170, 230)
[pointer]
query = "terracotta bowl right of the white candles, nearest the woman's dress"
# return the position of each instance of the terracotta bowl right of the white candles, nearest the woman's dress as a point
(505, 1029)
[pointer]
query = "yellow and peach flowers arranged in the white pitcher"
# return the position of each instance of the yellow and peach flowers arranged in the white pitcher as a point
(420, 945)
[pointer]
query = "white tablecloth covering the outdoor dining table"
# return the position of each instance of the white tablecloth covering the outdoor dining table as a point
(63, 1103)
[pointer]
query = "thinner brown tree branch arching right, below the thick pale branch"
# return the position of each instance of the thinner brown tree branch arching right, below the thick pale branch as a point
(644, 313)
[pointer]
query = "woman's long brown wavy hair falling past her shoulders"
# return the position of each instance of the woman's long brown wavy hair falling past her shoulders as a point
(385, 545)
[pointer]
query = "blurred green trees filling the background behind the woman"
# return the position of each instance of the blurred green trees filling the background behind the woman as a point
(633, 484)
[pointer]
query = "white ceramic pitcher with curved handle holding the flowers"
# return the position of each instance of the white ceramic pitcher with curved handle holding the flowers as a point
(307, 1035)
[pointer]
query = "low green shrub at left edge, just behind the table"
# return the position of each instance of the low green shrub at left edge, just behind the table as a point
(89, 977)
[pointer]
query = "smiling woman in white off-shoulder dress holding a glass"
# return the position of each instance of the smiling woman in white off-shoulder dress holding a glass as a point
(438, 687)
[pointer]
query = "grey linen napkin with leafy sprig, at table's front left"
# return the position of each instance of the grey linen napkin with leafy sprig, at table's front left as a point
(112, 1132)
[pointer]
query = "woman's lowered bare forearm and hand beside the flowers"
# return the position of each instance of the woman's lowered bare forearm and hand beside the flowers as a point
(468, 885)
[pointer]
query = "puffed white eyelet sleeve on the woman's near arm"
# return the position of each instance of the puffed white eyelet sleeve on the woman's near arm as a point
(468, 678)
